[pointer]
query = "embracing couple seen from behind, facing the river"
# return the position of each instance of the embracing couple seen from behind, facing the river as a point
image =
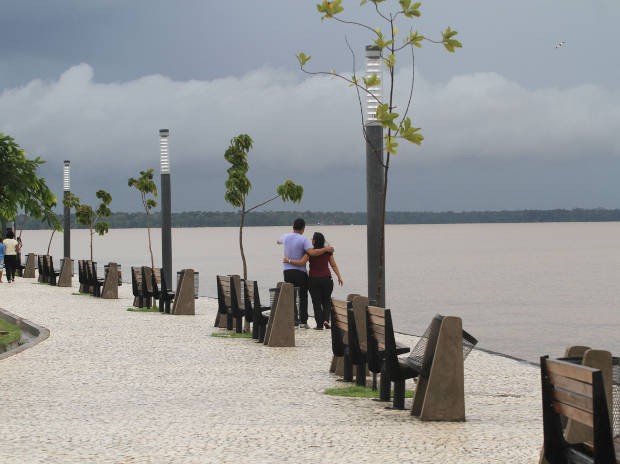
(297, 252)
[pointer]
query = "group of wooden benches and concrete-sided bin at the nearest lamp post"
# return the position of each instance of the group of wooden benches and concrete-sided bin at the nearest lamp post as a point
(363, 336)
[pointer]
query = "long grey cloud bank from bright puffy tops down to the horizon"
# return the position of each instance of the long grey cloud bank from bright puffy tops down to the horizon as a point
(308, 129)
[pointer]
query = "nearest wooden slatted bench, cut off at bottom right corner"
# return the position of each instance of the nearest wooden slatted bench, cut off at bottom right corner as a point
(576, 392)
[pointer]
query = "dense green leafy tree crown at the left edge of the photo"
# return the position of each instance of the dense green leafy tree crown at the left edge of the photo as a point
(21, 188)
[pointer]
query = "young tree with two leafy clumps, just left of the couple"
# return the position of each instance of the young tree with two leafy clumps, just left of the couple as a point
(238, 186)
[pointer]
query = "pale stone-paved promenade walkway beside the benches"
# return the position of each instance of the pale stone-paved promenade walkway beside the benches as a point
(112, 386)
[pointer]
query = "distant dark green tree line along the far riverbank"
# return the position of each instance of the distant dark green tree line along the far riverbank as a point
(285, 218)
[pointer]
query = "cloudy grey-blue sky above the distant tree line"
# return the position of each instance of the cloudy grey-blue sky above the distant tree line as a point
(511, 120)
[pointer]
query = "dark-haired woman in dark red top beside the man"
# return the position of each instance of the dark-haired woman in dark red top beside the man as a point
(321, 283)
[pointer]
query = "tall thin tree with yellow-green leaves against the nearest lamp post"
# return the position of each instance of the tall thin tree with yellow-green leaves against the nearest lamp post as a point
(397, 126)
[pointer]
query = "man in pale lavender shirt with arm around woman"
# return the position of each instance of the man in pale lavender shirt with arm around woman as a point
(295, 247)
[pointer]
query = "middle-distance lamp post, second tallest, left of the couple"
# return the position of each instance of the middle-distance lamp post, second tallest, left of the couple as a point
(166, 214)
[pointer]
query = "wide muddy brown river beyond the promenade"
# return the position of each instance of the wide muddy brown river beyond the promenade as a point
(521, 289)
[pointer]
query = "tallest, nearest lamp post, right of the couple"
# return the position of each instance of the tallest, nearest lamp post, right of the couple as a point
(375, 181)
